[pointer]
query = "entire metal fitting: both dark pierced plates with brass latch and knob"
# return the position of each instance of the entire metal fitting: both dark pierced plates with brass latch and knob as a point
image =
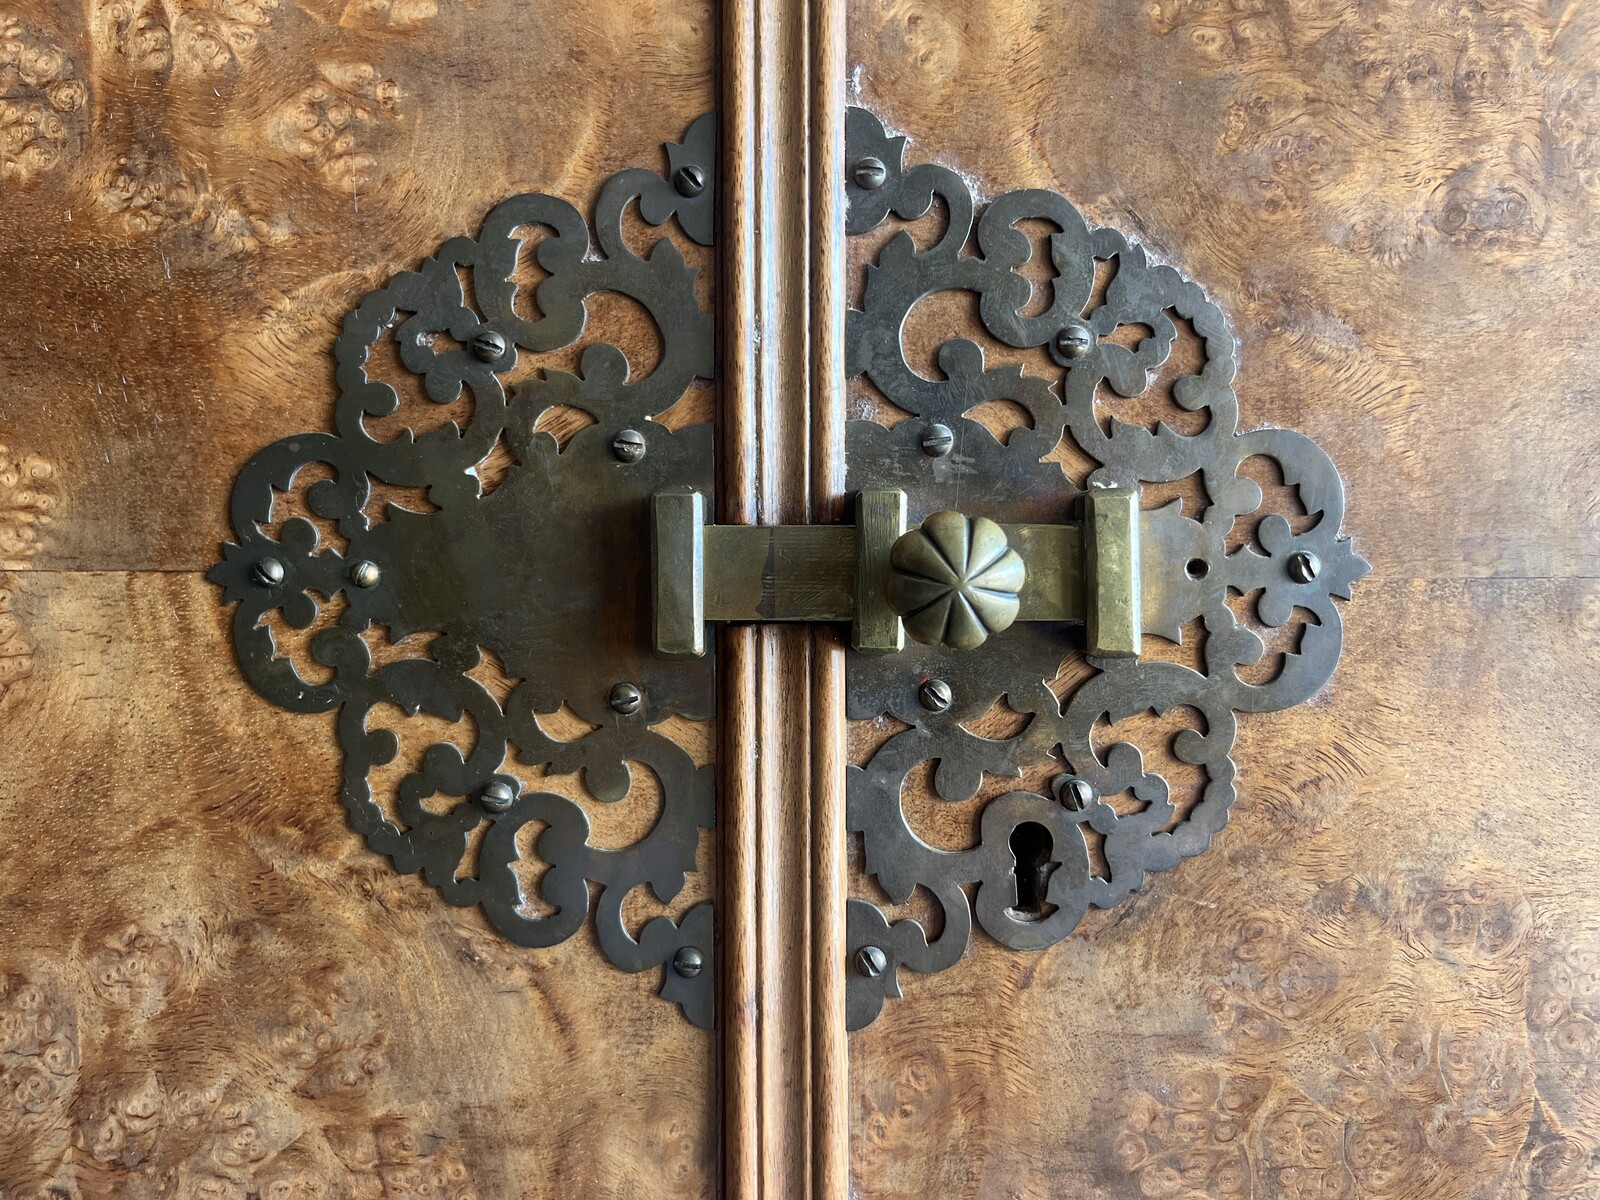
(534, 559)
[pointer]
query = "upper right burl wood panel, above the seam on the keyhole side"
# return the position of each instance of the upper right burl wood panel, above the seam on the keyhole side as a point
(1393, 204)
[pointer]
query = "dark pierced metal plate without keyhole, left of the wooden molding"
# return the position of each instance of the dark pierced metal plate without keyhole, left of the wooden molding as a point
(550, 572)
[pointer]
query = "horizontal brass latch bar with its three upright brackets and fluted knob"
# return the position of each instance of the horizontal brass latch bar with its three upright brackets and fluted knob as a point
(882, 578)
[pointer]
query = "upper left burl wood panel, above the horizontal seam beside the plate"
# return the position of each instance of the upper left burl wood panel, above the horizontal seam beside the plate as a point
(183, 258)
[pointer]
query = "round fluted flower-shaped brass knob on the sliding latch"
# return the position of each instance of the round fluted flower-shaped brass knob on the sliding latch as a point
(954, 580)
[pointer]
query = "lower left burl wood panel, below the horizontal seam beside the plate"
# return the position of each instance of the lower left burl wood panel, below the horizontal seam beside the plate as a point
(207, 978)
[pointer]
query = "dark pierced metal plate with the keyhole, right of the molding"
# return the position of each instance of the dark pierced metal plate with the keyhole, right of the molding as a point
(1033, 873)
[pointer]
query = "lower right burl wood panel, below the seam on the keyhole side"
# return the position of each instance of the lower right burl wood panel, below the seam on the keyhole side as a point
(1378, 977)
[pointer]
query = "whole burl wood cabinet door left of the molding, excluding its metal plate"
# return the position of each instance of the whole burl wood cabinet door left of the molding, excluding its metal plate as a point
(209, 985)
